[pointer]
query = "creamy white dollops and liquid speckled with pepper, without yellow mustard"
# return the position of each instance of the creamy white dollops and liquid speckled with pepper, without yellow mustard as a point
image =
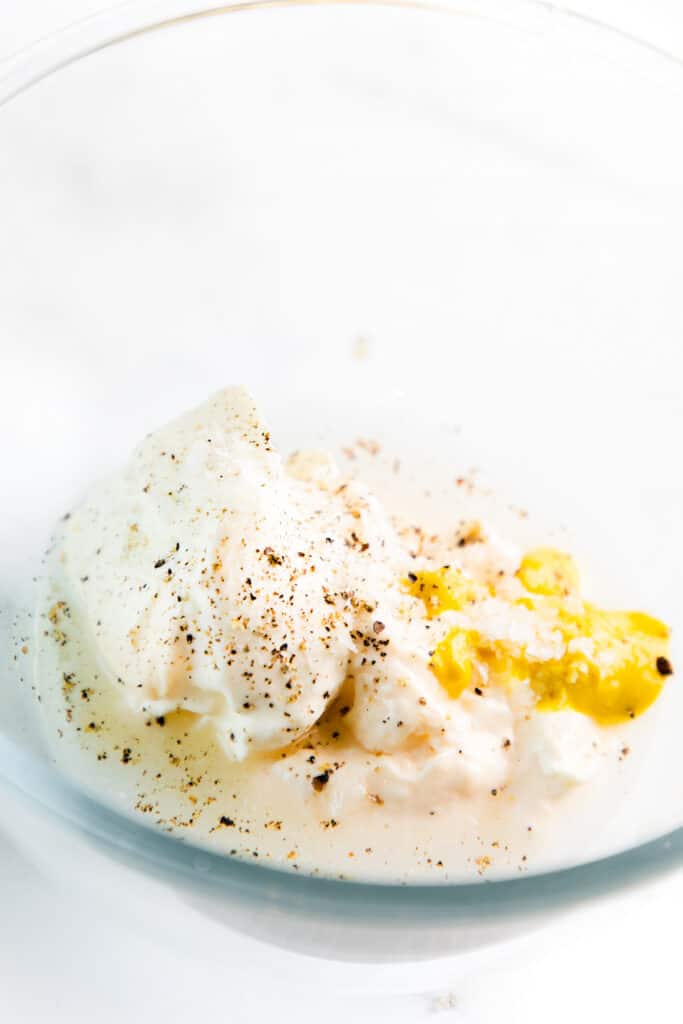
(240, 661)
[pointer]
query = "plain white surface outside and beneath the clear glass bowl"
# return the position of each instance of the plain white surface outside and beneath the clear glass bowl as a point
(618, 961)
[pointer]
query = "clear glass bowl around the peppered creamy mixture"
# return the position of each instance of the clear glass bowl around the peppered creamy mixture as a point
(454, 227)
